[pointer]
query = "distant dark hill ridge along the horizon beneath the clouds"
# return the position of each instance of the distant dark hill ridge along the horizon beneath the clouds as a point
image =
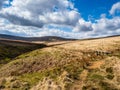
(45, 38)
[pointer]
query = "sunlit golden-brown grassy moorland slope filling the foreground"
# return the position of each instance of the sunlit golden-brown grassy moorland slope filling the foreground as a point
(82, 65)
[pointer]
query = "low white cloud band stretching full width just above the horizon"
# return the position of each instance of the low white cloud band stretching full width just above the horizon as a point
(102, 27)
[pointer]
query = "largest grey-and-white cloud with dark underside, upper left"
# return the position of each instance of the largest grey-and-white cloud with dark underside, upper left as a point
(41, 12)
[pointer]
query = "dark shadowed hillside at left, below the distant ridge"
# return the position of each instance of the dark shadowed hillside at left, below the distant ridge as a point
(10, 50)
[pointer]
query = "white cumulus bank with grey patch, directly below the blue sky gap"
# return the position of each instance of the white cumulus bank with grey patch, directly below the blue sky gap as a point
(102, 27)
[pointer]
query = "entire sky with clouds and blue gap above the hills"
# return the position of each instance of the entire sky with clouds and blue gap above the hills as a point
(65, 18)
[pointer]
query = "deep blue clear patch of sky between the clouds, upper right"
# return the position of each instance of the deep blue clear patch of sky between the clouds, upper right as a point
(94, 8)
